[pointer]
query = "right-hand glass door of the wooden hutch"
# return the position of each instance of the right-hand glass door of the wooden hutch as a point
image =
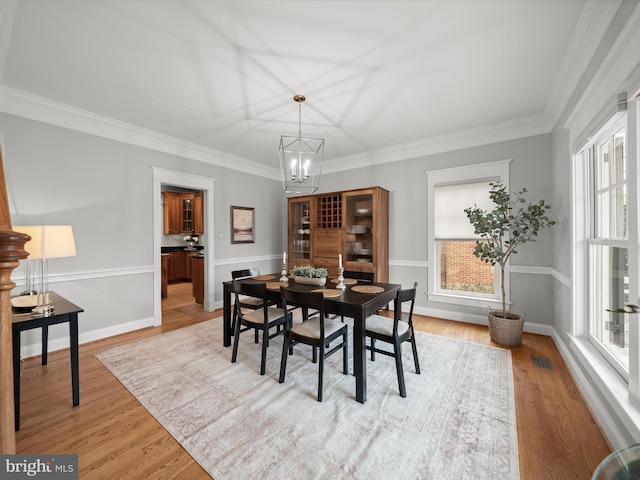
(359, 228)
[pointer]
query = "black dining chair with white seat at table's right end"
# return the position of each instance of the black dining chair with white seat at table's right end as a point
(395, 331)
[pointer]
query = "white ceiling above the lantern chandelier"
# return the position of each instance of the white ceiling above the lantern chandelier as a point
(377, 75)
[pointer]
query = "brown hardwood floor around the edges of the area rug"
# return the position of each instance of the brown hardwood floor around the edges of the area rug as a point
(116, 438)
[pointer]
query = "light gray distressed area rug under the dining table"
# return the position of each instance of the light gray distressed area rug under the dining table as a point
(458, 420)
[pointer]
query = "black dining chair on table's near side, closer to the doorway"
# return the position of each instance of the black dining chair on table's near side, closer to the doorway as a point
(261, 319)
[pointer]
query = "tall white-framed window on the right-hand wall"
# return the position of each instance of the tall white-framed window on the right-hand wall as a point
(608, 245)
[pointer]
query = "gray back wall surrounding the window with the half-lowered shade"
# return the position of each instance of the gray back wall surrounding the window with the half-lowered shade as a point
(407, 184)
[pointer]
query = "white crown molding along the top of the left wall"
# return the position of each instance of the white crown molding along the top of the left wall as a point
(22, 104)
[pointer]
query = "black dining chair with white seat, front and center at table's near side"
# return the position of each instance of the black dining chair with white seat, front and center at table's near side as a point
(318, 332)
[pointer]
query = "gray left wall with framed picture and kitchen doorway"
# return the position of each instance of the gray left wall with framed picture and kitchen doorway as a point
(103, 188)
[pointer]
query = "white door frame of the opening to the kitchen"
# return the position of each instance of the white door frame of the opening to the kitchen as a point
(194, 182)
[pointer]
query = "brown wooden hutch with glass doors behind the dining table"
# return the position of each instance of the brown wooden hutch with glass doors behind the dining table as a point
(351, 223)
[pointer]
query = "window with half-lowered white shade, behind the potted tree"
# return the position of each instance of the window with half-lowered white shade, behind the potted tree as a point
(455, 274)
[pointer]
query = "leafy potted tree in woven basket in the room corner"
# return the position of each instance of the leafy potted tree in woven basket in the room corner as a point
(505, 228)
